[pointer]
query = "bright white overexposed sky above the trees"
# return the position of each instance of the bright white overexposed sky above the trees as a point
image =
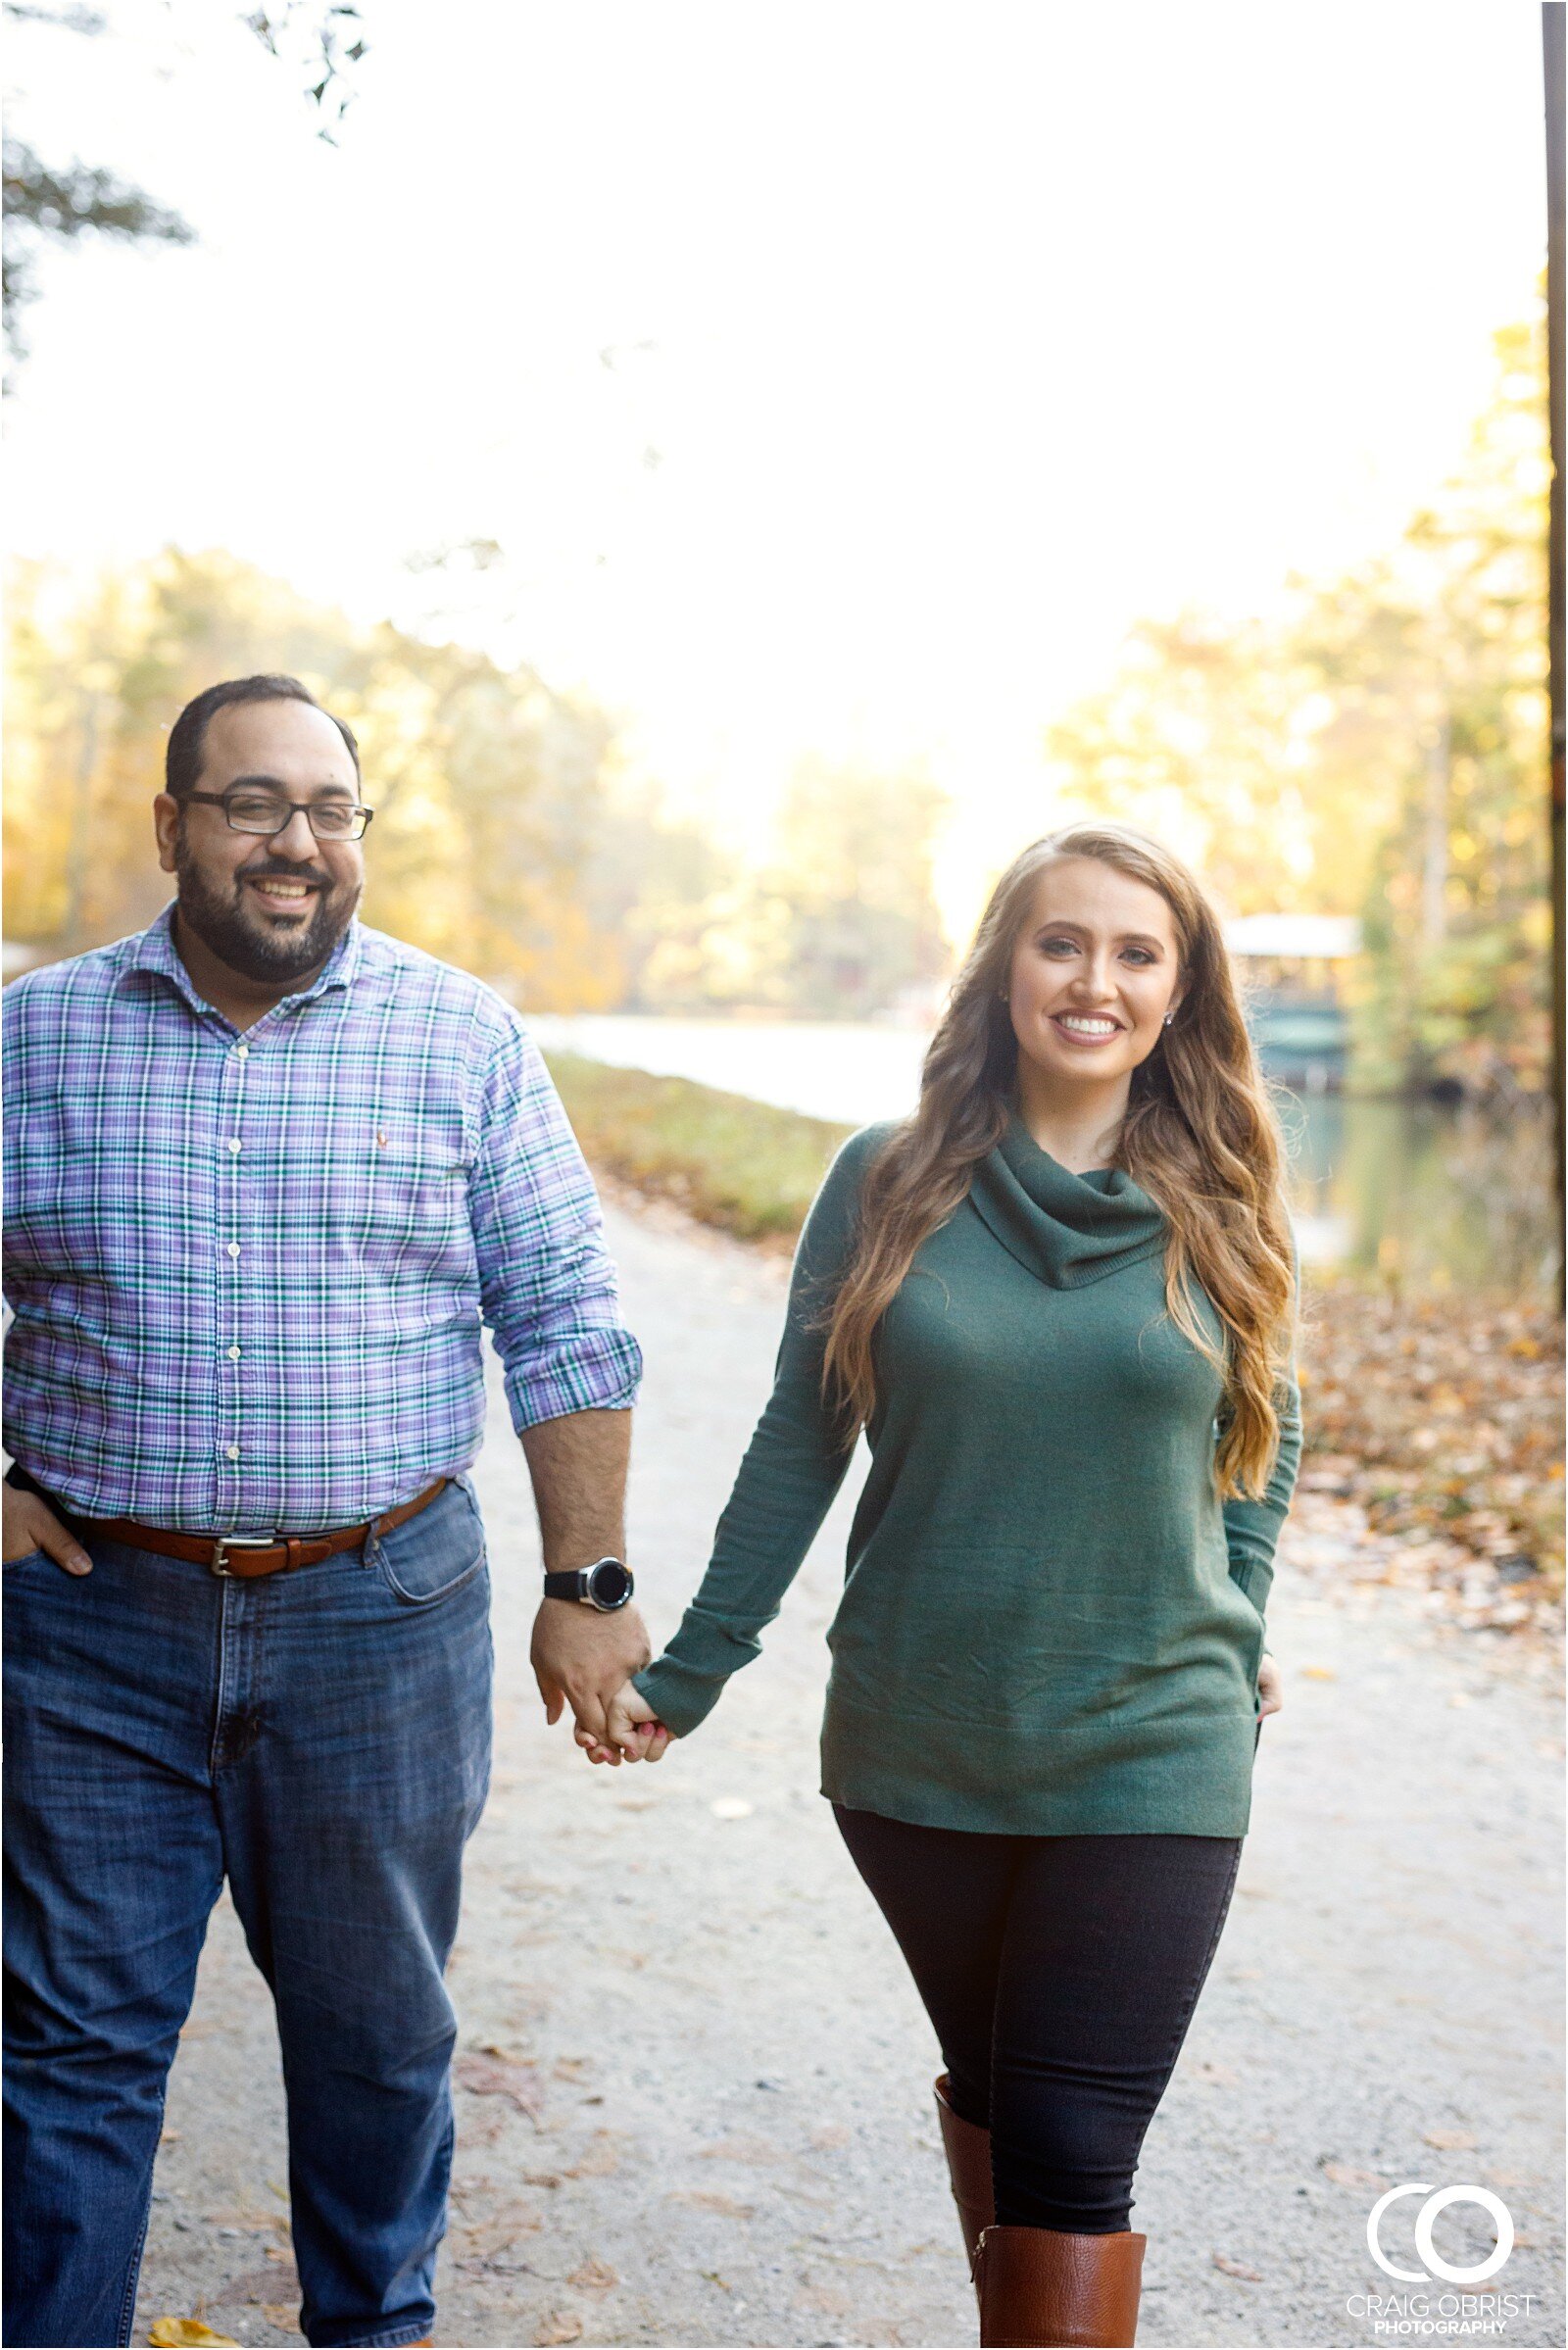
(944, 342)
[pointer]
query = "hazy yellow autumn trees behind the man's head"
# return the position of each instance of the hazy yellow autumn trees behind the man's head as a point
(485, 784)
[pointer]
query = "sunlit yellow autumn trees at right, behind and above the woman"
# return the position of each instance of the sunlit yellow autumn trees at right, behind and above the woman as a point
(1374, 753)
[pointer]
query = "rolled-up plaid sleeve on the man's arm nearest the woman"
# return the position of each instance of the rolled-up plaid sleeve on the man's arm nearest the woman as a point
(547, 1282)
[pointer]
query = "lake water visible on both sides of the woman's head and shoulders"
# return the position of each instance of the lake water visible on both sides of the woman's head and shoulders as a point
(1426, 1195)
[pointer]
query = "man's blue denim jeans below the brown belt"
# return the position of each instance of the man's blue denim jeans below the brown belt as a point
(323, 1743)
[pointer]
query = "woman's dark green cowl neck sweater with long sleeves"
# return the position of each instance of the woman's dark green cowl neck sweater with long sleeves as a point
(1050, 1620)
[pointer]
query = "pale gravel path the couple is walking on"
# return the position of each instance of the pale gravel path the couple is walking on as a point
(697, 2081)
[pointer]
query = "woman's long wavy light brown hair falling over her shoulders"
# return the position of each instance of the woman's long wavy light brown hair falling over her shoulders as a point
(1200, 1136)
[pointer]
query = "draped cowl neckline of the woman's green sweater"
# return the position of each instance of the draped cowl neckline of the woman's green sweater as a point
(1068, 1230)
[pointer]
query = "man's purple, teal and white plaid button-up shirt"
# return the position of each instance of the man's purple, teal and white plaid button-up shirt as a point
(250, 1270)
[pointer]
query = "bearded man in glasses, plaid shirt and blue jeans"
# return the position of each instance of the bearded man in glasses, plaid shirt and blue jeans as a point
(267, 1176)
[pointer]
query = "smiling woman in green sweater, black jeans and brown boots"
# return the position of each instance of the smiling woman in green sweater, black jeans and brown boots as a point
(1059, 1301)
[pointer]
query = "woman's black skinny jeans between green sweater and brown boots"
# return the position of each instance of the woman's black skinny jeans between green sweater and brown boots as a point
(1061, 1975)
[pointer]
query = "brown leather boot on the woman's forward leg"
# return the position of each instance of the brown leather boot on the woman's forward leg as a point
(1045, 2290)
